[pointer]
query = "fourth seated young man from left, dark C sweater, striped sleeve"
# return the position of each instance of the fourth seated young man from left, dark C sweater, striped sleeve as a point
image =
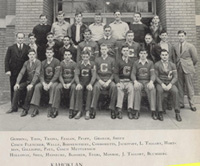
(85, 77)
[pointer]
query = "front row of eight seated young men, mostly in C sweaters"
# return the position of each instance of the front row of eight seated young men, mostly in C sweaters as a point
(86, 79)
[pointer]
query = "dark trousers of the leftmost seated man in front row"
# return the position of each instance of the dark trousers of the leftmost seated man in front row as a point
(28, 97)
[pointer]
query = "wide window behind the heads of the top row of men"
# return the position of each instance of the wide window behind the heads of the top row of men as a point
(106, 7)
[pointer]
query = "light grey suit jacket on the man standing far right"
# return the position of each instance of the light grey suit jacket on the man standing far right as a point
(187, 59)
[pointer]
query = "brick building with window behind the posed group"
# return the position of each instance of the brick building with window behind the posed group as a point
(22, 15)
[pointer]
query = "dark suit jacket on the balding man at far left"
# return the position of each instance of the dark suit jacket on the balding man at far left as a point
(14, 60)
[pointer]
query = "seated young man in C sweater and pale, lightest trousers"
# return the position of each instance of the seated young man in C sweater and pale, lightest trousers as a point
(123, 81)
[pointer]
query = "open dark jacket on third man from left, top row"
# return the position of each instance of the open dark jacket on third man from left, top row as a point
(73, 33)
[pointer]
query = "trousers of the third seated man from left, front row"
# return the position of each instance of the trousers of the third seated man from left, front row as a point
(57, 96)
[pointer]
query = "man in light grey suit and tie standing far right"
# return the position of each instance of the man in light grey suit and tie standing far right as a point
(185, 58)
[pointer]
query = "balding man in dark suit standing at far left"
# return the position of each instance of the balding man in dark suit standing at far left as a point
(16, 55)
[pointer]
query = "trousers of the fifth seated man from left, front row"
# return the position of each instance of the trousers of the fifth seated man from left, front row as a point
(112, 94)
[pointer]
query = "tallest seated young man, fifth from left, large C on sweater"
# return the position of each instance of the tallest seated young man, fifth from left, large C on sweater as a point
(105, 74)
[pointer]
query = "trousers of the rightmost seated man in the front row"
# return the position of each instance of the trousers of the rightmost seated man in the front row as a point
(160, 95)
